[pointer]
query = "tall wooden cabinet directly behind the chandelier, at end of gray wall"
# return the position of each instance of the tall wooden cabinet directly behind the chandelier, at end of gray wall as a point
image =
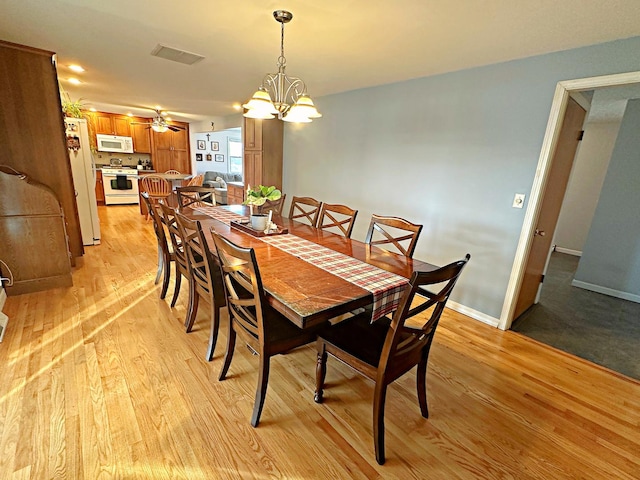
(263, 152)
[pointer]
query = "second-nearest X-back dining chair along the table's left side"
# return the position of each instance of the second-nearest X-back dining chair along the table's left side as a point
(205, 275)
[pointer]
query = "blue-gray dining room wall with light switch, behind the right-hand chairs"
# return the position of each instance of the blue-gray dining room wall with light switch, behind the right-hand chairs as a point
(449, 151)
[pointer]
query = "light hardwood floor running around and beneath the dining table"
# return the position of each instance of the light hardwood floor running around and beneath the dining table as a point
(101, 381)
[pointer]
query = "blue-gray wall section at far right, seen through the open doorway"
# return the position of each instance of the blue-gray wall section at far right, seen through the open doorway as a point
(611, 256)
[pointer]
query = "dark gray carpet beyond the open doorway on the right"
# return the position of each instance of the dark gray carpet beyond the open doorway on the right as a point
(602, 329)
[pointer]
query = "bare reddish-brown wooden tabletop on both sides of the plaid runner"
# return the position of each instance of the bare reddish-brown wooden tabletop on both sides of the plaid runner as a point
(307, 295)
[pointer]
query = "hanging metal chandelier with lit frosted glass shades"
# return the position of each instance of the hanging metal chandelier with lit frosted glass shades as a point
(281, 95)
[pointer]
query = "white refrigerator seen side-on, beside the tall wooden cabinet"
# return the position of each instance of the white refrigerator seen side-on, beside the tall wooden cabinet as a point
(84, 178)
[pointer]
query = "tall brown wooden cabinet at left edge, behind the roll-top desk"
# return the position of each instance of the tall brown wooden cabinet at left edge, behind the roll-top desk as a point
(33, 134)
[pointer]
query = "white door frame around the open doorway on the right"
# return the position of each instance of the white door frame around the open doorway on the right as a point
(556, 117)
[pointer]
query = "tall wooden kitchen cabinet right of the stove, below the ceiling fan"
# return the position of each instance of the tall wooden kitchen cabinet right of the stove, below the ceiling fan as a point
(170, 150)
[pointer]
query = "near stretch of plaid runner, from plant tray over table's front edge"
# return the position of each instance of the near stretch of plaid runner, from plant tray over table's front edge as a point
(387, 288)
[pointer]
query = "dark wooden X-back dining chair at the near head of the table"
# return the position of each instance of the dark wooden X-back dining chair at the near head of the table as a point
(385, 350)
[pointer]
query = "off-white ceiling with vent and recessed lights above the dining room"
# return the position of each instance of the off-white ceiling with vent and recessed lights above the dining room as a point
(333, 45)
